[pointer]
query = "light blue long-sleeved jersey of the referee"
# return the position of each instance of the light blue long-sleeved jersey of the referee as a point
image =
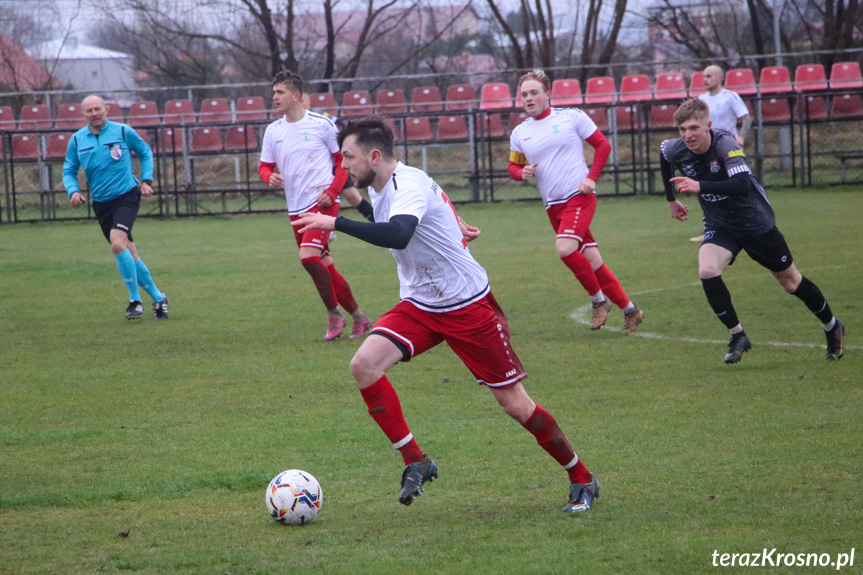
(107, 161)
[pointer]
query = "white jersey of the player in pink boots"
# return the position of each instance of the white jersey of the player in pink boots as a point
(303, 151)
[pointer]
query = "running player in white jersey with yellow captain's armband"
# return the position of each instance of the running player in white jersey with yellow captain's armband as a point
(548, 146)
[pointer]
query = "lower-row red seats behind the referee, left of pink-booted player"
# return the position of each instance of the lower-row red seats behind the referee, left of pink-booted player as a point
(203, 140)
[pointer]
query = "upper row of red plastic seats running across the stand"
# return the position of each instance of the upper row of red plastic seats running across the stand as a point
(493, 96)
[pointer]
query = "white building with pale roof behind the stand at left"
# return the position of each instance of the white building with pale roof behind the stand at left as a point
(86, 68)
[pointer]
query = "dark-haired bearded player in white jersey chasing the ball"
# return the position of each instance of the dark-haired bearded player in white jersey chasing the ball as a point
(445, 296)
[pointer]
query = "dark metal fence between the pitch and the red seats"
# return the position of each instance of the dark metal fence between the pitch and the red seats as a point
(212, 168)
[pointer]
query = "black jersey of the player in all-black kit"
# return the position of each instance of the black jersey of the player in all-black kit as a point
(748, 212)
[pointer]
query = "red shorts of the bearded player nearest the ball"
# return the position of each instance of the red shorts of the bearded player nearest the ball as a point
(478, 334)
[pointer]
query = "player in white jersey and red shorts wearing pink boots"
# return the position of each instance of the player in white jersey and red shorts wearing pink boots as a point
(303, 146)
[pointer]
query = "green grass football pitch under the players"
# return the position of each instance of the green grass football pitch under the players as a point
(146, 446)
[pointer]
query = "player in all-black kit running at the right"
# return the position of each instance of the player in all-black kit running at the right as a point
(737, 216)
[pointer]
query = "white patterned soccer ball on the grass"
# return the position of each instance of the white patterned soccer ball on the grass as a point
(294, 497)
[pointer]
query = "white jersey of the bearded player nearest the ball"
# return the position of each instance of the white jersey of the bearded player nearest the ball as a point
(436, 270)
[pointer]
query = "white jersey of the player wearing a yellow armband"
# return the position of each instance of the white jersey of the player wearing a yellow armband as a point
(556, 145)
